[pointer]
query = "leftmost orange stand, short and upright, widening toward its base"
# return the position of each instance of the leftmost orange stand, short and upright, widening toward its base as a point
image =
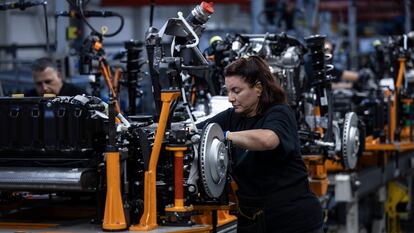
(114, 217)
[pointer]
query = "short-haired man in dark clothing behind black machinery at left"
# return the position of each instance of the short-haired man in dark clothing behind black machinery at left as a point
(48, 80)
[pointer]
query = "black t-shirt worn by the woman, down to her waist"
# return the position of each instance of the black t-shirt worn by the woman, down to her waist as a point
(260, 173)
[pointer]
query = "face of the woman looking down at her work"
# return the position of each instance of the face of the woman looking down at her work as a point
(244, 98)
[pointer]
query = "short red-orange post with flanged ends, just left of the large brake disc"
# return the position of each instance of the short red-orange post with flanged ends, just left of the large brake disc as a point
(178, 180)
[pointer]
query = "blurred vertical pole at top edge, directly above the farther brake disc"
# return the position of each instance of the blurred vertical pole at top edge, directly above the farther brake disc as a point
(353, 53)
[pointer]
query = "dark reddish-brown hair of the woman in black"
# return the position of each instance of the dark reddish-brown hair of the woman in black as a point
(252, 70)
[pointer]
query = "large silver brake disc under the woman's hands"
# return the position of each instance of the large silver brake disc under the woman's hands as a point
(214, 160)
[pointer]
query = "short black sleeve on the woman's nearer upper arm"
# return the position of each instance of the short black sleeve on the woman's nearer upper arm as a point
(281, 120)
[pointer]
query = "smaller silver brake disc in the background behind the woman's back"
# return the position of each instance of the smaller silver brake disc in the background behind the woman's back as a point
(350, 140)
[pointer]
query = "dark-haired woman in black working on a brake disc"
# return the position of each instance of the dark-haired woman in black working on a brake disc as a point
(273, 188)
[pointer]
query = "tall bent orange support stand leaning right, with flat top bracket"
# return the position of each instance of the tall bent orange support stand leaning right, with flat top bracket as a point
(148, 220)
